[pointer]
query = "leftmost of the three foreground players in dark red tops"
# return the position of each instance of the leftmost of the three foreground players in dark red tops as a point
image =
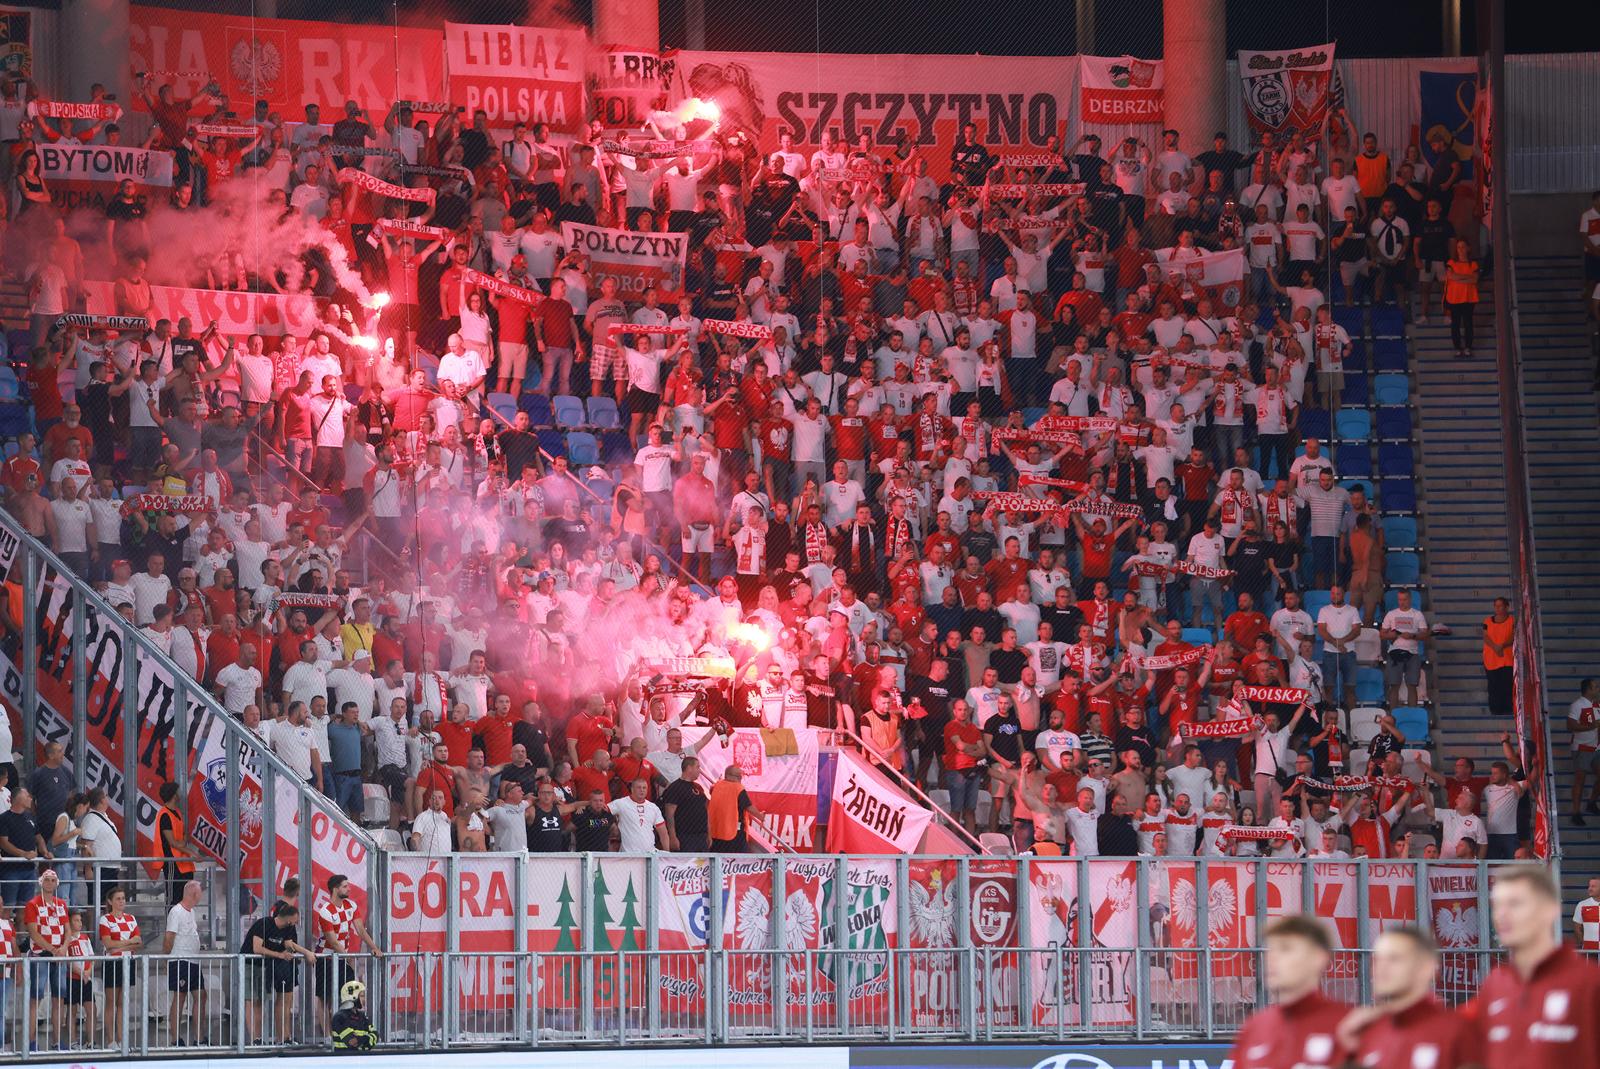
(1302, 1030)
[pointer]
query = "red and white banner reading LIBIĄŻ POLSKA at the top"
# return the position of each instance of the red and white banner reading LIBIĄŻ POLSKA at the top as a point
(518, 74)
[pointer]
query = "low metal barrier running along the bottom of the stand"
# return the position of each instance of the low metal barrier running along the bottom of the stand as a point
(236, 1003)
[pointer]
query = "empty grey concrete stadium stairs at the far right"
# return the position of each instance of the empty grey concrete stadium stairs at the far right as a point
(1564, 433)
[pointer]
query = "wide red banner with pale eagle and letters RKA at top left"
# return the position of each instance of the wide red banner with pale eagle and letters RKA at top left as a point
(289, 63)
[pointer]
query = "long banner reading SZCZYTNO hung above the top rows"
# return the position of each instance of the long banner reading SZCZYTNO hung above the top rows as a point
(1018, 103)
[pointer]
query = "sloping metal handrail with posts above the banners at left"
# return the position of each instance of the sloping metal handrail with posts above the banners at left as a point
(239, 739)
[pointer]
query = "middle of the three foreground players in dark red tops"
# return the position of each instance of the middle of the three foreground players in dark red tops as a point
(1409, 1027)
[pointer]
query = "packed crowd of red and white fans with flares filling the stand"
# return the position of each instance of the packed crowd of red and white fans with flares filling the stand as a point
(441, 555)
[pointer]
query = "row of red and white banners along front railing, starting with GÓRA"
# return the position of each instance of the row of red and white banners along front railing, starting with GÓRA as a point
(841, 921)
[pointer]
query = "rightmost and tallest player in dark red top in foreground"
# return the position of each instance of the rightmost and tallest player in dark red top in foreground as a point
(1542, 1011)
